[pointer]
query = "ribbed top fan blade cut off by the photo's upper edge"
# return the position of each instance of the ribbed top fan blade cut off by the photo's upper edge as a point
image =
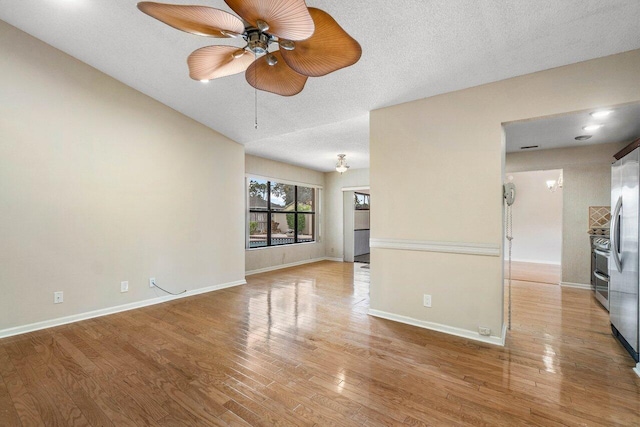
(287, 19)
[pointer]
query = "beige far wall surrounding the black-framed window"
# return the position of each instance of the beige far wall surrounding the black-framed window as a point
(267, 258)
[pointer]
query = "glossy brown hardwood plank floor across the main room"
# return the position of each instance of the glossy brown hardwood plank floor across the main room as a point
(295, 347)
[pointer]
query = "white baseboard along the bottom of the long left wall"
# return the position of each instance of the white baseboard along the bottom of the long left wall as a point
(4, 333)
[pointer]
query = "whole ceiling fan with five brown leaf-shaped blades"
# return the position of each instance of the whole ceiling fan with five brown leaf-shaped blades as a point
(310, 41)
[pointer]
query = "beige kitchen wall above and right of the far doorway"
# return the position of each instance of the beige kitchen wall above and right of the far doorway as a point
(587, 182)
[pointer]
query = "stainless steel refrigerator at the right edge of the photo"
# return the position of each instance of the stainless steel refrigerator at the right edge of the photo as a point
(623, 271)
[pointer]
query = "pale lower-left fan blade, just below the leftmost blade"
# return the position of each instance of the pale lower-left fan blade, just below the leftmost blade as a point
(212, 62)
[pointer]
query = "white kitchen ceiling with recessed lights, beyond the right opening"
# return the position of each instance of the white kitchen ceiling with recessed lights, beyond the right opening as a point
(622, 125)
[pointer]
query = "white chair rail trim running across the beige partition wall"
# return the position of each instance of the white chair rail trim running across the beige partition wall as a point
(463, 248)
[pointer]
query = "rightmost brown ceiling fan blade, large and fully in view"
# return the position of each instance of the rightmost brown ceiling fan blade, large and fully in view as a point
(330, 48)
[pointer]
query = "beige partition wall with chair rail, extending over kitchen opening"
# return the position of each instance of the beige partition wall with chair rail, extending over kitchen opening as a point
(442, 160)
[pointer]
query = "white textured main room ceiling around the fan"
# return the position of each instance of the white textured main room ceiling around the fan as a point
(411, 49)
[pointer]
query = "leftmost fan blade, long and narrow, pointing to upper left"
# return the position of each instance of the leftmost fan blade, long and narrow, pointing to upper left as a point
(199, 20)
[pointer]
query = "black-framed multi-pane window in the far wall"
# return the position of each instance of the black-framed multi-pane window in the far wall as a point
(280, 214)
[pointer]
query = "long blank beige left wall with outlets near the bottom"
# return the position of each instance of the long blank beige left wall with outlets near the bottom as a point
(100, 184)
